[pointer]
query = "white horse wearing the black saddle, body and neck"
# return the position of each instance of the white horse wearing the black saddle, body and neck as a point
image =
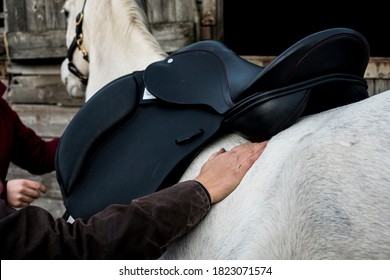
(320, 190)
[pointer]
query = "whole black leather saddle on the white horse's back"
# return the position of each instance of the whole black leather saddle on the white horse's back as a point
(140, 132)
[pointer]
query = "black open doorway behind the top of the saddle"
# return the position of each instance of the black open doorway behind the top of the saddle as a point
(270, 27)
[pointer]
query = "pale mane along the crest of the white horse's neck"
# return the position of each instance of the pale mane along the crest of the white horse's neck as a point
(138, 19)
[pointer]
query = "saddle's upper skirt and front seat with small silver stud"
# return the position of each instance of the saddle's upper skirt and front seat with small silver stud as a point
(205, 72)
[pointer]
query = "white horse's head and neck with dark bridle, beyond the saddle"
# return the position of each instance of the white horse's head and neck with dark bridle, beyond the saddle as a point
(106, 39)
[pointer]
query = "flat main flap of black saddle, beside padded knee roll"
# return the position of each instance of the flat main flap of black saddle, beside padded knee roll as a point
(149, 151)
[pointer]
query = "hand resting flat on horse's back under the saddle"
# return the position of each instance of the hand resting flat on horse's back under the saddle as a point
(224, 170)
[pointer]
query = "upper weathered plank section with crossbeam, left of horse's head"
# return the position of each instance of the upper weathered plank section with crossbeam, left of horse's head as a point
(35, 29)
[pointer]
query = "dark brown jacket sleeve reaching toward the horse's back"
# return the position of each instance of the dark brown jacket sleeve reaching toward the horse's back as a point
(142, 230)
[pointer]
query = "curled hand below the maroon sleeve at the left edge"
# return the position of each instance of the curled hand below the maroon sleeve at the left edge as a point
(22, 192)
